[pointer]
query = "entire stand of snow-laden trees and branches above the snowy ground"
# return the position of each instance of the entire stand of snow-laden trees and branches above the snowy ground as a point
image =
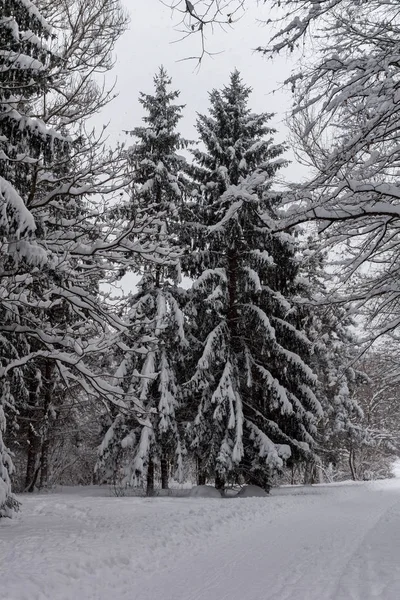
(260, 344)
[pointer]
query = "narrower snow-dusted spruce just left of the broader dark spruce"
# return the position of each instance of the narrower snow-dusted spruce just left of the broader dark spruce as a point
(150, 369)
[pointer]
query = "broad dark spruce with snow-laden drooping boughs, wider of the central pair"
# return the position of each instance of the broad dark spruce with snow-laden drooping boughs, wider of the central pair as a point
(251, 393)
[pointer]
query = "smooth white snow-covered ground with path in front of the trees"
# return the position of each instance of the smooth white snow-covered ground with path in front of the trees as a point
(337, 542)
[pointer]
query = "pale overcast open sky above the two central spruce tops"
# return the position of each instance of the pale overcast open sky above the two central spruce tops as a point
(149, 43)
